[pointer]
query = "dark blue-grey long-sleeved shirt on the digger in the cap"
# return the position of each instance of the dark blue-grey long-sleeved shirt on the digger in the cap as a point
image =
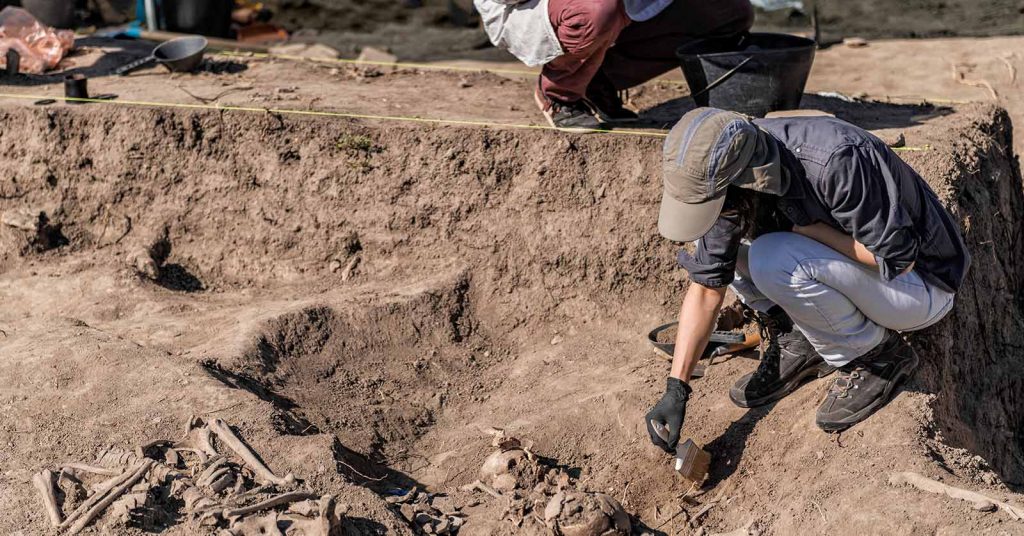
(850, 180)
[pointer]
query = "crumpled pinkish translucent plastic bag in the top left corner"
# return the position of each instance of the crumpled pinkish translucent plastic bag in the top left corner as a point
(41, 48)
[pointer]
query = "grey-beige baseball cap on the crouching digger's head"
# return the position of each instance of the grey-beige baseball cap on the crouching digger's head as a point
(707, 151)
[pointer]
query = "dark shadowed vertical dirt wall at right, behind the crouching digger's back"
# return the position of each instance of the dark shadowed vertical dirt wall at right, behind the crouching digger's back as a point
(972, 355)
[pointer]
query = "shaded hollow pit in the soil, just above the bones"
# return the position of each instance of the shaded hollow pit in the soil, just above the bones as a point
(374, 376)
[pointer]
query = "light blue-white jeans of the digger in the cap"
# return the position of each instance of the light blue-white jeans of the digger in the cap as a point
(842, 307)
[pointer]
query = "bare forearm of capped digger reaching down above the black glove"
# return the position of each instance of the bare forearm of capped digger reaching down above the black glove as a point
(697, 320)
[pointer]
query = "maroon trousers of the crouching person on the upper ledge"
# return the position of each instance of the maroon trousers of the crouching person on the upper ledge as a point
(588, 29)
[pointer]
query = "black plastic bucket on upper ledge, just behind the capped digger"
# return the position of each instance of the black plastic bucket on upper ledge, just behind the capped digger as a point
(753, 74)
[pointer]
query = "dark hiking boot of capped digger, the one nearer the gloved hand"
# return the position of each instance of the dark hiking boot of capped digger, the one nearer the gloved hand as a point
(787, 362)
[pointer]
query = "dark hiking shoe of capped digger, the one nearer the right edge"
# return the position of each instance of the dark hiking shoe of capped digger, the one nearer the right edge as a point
(867, 385)
